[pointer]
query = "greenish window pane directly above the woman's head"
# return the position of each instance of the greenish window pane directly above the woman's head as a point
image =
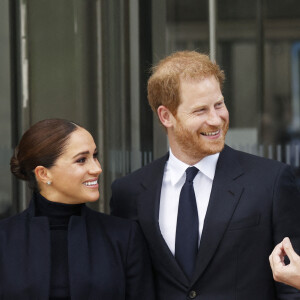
(62, 56)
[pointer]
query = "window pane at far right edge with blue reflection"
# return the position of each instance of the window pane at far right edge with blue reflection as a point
(281, 112)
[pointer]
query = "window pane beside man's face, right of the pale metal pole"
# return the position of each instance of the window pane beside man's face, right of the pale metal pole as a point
(237, 53)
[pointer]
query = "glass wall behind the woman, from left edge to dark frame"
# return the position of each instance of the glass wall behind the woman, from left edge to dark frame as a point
(49, 68)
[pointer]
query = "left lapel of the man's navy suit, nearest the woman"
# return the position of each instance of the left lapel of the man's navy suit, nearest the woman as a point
(148, 211)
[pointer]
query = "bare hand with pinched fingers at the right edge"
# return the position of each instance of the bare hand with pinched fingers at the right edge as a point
(288, 274)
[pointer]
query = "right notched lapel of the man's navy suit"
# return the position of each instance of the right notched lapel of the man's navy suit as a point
(223, 201)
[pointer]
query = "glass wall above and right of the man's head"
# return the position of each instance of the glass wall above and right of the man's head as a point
(257, 44)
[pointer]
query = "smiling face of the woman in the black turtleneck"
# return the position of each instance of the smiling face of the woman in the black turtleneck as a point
(74, 176)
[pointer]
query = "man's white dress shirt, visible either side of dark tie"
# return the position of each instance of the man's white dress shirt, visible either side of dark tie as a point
(173, 180)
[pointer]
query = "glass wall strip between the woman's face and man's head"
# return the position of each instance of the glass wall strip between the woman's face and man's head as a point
(127, 117)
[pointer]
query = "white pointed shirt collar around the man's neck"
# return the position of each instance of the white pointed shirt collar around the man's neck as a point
(206, 165)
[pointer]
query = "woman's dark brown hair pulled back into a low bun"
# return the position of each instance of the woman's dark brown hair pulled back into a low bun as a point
(40, 145)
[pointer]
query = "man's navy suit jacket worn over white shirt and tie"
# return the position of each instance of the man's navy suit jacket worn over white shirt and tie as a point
(254, 204)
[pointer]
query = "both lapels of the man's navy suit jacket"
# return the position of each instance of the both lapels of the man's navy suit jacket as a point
(224, 199)
